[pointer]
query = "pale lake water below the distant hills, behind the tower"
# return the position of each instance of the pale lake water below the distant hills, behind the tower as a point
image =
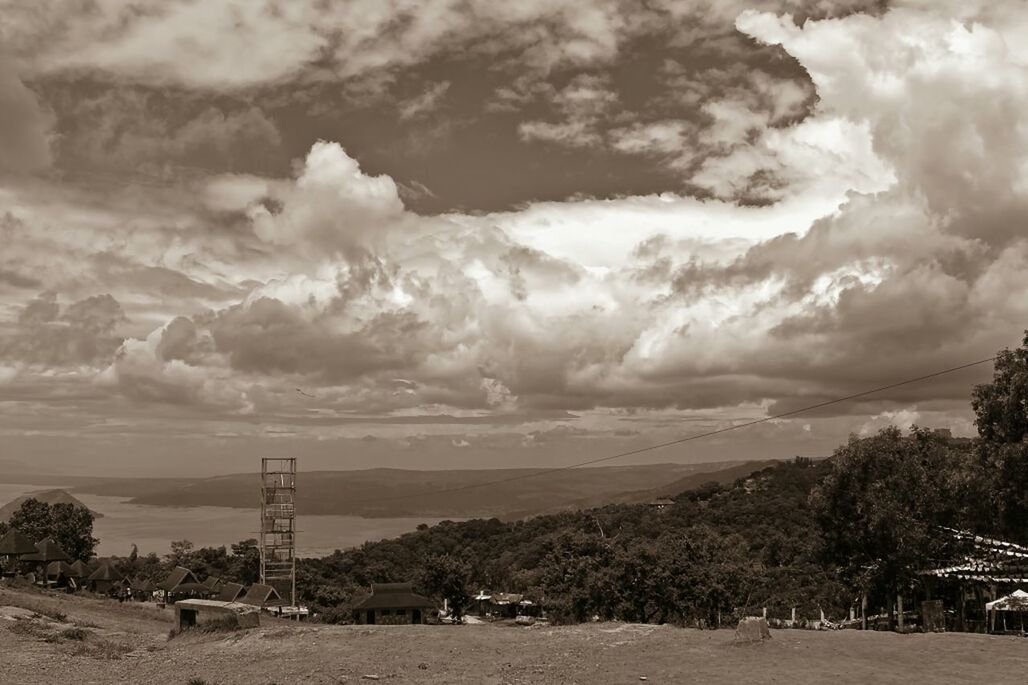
(154, 528)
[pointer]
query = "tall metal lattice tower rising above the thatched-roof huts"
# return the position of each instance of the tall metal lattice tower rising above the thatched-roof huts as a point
(278, 526)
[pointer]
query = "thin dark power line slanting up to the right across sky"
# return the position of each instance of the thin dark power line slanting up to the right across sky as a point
(689, 439)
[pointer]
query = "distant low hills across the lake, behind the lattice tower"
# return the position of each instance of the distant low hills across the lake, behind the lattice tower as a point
(395, 493)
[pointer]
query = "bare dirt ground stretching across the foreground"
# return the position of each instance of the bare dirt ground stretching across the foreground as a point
(94, 641)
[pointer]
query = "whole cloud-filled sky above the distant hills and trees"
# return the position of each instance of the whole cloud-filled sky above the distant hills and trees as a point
(469, 234)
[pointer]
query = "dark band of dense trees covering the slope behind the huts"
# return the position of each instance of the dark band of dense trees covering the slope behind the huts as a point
(807, 534)
